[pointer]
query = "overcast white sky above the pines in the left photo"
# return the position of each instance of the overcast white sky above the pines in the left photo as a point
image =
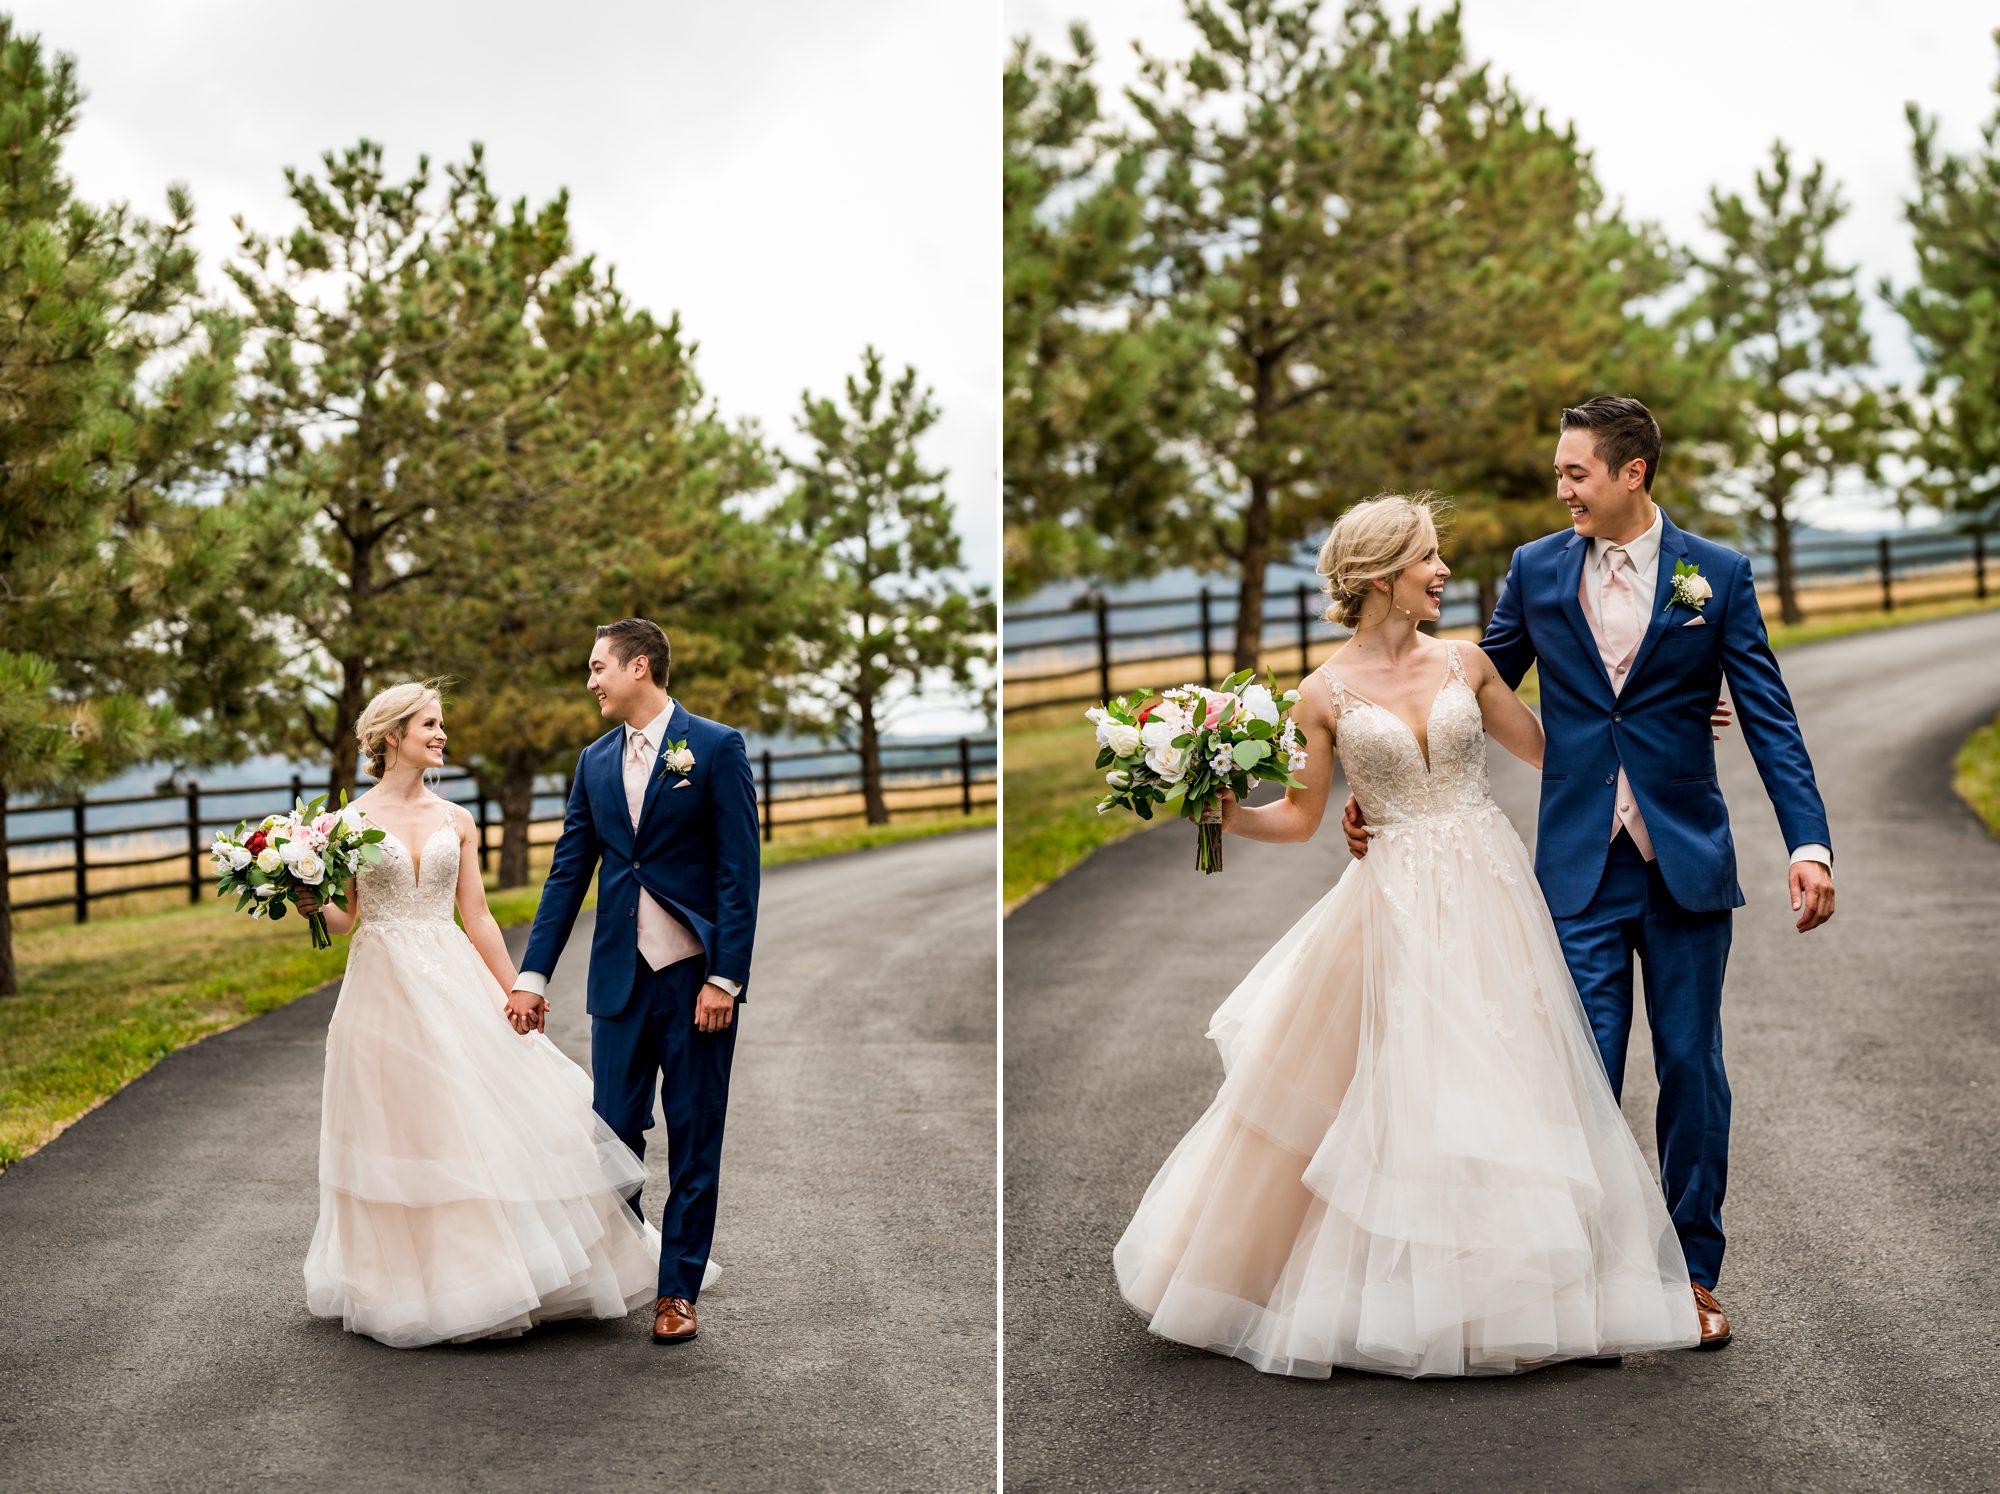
(795, 179)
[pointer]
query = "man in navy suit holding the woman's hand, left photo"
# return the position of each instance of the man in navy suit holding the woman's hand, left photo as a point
(667, 805)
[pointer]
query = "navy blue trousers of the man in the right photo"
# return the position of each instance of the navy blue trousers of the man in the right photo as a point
(1683, 957)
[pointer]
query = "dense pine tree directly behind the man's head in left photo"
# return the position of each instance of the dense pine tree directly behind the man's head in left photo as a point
(615, 499)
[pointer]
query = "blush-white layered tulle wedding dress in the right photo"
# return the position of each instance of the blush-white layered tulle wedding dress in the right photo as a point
(1415, 1163)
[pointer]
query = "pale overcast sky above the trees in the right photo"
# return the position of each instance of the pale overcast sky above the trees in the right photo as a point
(1679, 99)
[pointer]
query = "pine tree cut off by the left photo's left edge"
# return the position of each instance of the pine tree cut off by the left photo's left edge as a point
(121, 597)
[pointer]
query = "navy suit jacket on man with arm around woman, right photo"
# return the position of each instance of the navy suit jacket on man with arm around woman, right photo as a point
(1657, 729)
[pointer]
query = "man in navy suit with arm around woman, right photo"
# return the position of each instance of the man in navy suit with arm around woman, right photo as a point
(1635, 625)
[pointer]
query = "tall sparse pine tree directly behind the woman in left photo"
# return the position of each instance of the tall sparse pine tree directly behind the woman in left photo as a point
(391, 335)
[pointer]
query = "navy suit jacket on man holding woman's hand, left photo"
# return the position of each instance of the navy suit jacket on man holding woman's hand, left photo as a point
(695, 851)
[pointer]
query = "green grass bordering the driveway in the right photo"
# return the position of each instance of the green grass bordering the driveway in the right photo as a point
(1051, 785)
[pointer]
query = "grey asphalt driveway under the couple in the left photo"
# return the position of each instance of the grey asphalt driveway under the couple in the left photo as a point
(153, 1319)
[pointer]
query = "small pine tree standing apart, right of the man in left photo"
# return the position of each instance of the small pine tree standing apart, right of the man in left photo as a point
(901, 615)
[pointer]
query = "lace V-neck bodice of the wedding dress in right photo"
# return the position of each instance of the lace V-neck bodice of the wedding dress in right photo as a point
(1385, 763)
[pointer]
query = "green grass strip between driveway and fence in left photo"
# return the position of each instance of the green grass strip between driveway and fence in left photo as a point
(107, 1001)
